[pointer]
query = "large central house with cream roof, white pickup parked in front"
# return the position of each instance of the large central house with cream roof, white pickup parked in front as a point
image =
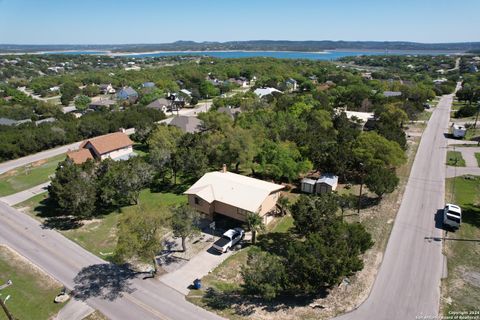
(233, 195)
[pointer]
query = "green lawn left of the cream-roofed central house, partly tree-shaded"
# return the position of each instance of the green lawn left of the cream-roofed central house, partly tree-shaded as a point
(98, 235)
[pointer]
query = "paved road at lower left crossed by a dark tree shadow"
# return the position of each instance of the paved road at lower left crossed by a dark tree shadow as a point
(117, 293)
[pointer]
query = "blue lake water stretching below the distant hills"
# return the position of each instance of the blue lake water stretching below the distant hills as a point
(327, 55)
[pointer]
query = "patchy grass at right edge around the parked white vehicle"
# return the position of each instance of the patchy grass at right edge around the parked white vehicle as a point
(462, 285)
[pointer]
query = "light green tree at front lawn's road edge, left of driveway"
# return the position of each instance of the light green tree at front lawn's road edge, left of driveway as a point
(139, 234)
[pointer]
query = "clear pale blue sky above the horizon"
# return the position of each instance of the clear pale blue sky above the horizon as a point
(149, 21)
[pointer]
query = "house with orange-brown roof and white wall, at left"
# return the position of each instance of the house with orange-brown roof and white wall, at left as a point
(116, 146)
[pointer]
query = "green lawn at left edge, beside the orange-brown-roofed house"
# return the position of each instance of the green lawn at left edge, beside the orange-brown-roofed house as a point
(23, 178)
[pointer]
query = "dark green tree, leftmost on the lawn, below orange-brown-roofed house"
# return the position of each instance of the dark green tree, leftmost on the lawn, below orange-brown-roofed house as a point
(74, 188)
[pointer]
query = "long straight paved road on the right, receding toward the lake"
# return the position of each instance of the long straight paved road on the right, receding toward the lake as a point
(408, 282)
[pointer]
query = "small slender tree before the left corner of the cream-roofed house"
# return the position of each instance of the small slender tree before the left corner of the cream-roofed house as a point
(184, 223)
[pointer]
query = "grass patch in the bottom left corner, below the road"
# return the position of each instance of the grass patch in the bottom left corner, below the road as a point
(32, 292)
